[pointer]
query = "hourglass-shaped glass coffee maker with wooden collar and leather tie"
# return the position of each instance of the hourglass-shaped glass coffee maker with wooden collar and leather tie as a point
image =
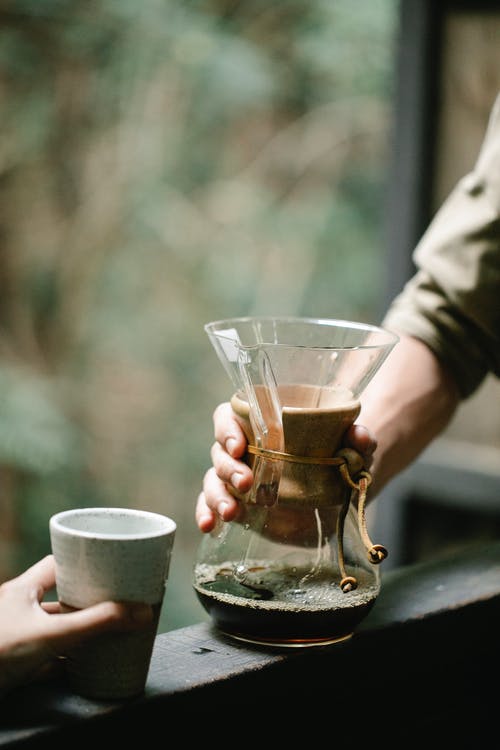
(297, 567)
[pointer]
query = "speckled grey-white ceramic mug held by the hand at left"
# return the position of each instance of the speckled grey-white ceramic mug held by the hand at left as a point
(118, 554)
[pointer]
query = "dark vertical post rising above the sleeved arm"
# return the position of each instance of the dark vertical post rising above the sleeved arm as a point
(410, 177)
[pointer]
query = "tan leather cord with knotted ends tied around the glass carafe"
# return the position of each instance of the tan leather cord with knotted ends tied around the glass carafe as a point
(376, 552)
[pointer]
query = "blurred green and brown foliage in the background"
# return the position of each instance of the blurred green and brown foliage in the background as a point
(164, 164)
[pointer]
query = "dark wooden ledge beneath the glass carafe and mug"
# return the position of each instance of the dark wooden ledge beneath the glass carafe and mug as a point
(426, 655)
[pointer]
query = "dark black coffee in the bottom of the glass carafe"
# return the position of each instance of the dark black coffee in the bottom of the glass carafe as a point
(278, 606)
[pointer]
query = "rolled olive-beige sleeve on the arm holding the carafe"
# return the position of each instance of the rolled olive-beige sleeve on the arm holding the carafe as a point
(452, 303)
